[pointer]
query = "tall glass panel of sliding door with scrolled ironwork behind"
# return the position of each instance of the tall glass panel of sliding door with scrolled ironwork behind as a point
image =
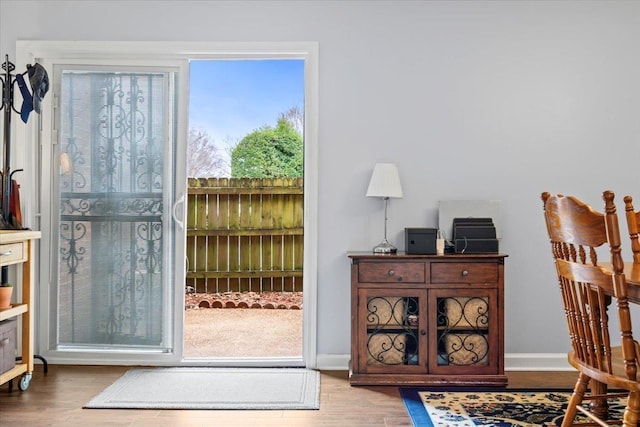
(112, 243)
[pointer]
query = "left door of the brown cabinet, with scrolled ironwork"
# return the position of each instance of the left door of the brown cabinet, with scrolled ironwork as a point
(392, 330)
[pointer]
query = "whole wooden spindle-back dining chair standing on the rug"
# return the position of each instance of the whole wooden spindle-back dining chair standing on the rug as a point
(576, 231)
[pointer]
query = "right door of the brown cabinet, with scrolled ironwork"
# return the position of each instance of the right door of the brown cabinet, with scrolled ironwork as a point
(464, 325)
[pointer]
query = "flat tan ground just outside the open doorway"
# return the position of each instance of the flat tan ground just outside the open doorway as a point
(242, 332)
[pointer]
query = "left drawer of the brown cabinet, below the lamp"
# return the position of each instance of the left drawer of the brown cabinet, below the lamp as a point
(386, 272)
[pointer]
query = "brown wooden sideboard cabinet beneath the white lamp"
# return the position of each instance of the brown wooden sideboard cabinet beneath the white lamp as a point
(427, 319)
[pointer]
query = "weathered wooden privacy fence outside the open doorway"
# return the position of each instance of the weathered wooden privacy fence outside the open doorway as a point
(245, 234)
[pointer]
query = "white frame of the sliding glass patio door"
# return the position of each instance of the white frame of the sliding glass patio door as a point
(33, 135)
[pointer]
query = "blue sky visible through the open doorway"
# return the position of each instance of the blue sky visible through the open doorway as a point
(231, 98)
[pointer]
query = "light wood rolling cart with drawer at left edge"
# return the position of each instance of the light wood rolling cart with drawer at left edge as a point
(17, 248)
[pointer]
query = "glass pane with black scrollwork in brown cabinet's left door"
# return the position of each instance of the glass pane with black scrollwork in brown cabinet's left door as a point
(392, 331)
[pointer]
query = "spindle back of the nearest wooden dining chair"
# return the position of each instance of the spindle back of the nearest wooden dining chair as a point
(576, 232)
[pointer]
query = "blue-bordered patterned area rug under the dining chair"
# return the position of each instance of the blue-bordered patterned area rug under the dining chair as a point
(474, 408)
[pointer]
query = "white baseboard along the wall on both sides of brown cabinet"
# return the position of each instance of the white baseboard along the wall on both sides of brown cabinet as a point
(512, 362)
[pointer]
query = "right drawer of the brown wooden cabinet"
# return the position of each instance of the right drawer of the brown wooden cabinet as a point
(464, 272)
